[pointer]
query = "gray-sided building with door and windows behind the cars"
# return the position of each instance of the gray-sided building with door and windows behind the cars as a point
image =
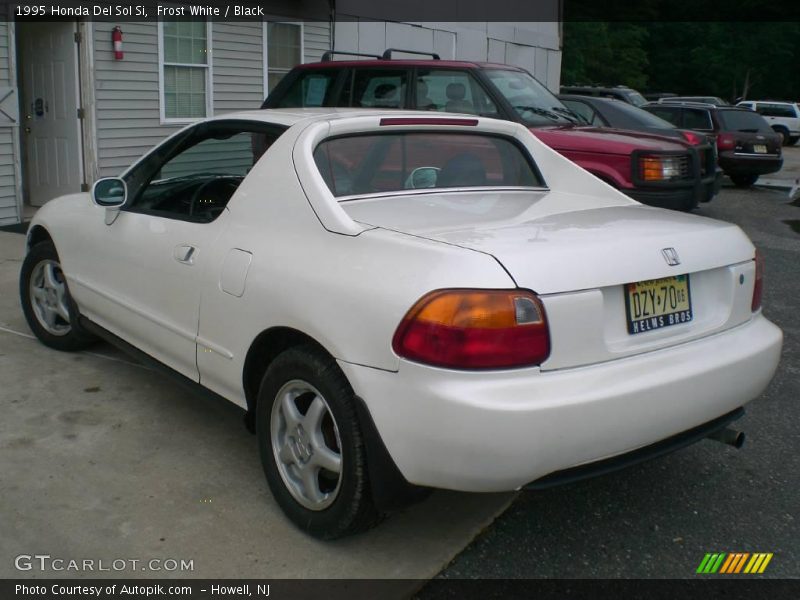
(70, 111)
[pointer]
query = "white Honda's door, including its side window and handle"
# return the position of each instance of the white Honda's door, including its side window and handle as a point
(144, 282)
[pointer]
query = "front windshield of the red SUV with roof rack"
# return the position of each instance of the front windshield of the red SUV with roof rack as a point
(533, 102)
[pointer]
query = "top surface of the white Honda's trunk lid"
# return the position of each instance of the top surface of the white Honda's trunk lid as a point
(555, 242)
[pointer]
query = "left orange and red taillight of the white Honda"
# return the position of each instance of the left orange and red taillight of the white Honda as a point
(475, 329)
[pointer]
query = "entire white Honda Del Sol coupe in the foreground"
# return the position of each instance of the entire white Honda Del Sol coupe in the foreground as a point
(403, 301)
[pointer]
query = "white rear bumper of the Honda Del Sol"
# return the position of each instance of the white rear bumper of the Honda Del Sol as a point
(498, 431)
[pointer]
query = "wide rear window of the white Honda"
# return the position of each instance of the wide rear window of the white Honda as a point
(377, 163)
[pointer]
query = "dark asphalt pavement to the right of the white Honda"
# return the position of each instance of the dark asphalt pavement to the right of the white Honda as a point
(659, 519)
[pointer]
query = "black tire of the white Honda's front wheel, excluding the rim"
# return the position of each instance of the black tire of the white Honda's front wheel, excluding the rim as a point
(71, 336)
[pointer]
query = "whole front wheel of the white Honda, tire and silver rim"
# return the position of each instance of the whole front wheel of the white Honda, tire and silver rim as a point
(49, 309)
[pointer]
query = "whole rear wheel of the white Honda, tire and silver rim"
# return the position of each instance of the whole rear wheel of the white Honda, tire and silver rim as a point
(311, 444)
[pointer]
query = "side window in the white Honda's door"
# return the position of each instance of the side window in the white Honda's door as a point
(193, 177)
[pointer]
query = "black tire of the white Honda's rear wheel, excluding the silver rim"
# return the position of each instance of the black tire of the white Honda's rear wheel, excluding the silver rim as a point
(352, 509)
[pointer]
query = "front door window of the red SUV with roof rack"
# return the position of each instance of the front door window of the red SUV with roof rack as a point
(452, 91)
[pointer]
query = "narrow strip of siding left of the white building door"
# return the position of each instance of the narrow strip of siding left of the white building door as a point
(9, 173)
